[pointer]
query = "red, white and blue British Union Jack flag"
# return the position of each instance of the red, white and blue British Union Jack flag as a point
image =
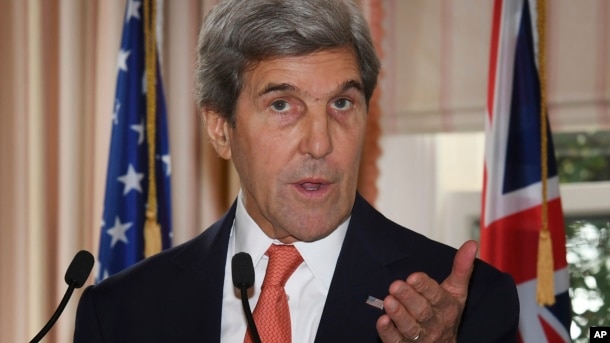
(512, 196)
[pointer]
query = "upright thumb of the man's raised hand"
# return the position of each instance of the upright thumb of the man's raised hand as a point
(463, 264)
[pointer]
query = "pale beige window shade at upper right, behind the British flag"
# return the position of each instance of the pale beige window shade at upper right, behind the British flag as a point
(437, 55)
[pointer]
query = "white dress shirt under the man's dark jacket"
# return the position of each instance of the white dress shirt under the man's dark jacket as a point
(307, 288)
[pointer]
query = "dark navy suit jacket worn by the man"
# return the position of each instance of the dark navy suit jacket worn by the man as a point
(176, 295)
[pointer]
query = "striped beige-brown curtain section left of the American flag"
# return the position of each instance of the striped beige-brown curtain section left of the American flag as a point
(54, 72)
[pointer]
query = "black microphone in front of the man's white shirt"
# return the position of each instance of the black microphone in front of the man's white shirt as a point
(243, 278)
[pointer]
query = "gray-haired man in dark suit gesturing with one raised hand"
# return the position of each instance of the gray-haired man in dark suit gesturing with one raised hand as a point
(284, 88)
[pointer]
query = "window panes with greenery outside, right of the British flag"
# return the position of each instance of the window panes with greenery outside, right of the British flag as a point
(585, 157)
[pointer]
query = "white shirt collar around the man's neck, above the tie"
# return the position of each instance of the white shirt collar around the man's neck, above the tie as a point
(320, 256)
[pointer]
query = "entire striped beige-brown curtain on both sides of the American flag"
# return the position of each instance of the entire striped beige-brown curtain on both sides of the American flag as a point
(58, 74)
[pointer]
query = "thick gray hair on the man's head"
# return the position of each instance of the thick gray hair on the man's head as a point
(237, 34)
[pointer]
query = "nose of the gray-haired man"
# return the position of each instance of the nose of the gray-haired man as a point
(317, 136)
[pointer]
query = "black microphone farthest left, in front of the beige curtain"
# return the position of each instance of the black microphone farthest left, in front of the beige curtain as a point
(76, 275)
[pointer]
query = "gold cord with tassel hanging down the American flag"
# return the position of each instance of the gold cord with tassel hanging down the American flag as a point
(152, 229)
